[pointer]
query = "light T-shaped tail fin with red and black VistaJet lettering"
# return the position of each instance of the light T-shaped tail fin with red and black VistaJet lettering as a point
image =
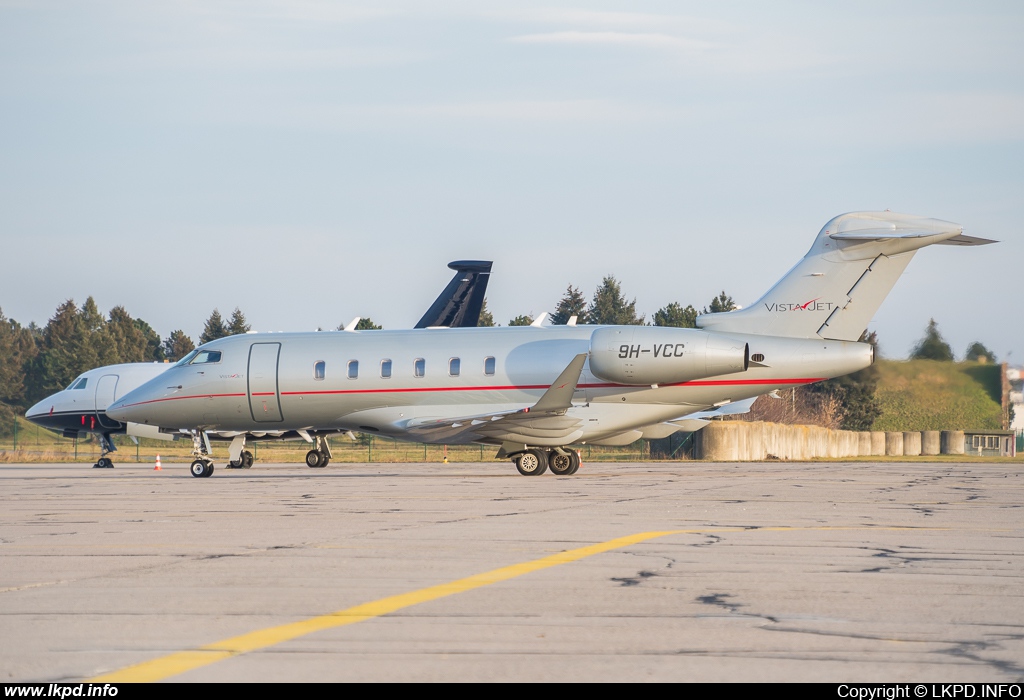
(835, 290)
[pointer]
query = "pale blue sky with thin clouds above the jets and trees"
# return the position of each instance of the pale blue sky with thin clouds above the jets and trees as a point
(311, 162)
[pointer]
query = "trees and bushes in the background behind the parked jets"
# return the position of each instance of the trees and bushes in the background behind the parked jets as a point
(38, 362)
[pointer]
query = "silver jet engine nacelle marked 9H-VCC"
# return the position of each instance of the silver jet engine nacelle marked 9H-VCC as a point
(628, 355)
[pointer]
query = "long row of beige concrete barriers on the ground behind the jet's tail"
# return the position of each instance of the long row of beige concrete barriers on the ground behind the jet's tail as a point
(756, 442)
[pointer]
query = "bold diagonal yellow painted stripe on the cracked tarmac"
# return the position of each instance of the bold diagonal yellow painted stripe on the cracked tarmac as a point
(180, 663)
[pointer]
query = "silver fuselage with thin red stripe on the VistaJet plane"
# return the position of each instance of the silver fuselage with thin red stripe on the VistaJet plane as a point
(395, 382)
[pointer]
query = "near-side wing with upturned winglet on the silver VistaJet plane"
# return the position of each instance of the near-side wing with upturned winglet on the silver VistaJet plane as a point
(545, 421)
